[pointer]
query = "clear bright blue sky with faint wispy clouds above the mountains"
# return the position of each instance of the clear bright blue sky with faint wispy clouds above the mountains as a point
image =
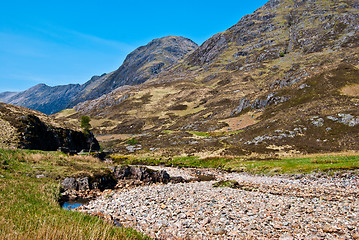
(62, 42)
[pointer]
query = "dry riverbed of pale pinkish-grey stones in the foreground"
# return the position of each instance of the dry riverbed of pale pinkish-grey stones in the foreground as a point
(263, 207)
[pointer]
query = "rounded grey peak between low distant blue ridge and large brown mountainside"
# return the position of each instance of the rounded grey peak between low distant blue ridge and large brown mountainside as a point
(140, 65)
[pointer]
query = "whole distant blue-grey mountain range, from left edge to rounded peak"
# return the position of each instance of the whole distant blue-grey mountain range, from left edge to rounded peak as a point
(139, 66)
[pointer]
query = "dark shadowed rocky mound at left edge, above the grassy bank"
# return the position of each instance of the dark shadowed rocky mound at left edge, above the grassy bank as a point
(24, 128)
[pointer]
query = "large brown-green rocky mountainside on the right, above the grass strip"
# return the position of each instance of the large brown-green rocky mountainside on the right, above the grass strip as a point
(283, 79)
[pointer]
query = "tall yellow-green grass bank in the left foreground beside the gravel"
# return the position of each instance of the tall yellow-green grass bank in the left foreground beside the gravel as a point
(28, 204)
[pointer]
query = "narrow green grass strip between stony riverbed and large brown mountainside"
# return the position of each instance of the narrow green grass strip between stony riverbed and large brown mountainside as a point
(303, 164)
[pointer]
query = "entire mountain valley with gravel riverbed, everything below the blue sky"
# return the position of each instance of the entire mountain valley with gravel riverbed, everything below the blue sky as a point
(254, 134)
